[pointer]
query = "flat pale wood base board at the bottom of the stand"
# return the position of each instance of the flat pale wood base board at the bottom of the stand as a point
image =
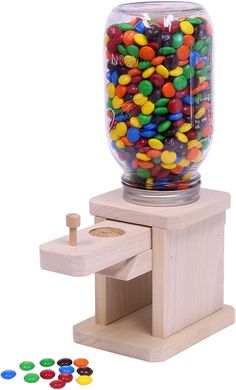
(131, 335)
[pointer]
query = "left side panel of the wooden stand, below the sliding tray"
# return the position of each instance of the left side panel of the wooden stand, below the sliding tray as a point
(116, 298)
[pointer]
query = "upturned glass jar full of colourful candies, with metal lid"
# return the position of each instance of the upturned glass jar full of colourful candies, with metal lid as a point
(158, 64)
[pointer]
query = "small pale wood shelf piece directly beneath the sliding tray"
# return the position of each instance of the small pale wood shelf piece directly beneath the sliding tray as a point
(131, 268)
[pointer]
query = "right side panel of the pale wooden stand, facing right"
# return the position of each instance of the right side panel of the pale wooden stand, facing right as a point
(188, 267)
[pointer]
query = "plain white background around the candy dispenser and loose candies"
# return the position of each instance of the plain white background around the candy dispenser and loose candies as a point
(53, 158)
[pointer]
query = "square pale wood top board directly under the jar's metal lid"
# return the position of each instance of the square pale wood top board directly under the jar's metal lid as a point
(112, 206)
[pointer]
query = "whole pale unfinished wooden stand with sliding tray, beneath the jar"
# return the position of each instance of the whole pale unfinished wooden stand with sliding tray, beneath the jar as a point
(159, 274)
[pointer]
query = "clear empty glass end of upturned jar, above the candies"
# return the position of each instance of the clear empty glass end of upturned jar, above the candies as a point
(160, 7)
